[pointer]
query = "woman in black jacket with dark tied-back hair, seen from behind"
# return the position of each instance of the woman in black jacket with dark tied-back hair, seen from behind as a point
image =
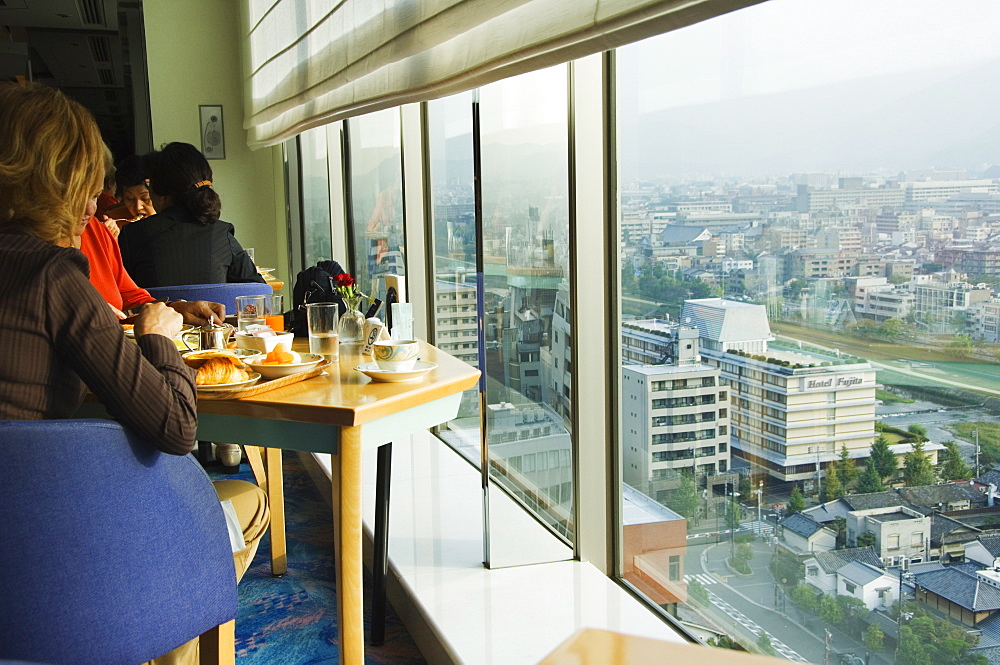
(186, 242)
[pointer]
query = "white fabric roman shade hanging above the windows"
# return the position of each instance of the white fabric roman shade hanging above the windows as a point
(310, 62)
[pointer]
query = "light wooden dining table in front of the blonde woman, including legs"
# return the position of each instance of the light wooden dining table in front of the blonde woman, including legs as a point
(342, 412)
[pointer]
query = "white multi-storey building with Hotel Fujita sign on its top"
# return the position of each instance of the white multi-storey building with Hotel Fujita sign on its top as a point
(791, 412)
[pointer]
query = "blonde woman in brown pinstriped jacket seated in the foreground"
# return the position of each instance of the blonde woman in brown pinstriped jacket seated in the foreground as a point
(51, 168)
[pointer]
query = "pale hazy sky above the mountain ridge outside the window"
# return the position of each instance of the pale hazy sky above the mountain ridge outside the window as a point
(785, 45)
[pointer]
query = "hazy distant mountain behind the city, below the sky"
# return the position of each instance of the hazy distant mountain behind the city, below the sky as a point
(937, 119)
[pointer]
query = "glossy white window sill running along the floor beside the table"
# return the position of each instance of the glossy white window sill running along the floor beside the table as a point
(457, 610)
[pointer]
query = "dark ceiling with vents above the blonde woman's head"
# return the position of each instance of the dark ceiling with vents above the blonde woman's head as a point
(91, 49)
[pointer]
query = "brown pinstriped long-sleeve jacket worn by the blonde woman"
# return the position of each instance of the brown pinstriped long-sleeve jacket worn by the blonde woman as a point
(58, 337)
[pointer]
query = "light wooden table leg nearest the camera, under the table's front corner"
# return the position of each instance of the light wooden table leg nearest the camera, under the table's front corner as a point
(346, 477)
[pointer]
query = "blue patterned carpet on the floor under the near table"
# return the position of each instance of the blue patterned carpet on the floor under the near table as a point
(292, 620)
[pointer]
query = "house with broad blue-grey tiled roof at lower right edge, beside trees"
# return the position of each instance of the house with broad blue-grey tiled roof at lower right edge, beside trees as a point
(963, 595)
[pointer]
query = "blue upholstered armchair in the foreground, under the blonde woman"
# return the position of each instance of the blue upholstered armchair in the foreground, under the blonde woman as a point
(112, 552)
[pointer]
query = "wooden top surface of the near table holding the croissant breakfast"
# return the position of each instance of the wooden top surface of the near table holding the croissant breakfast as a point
(344, 396)
